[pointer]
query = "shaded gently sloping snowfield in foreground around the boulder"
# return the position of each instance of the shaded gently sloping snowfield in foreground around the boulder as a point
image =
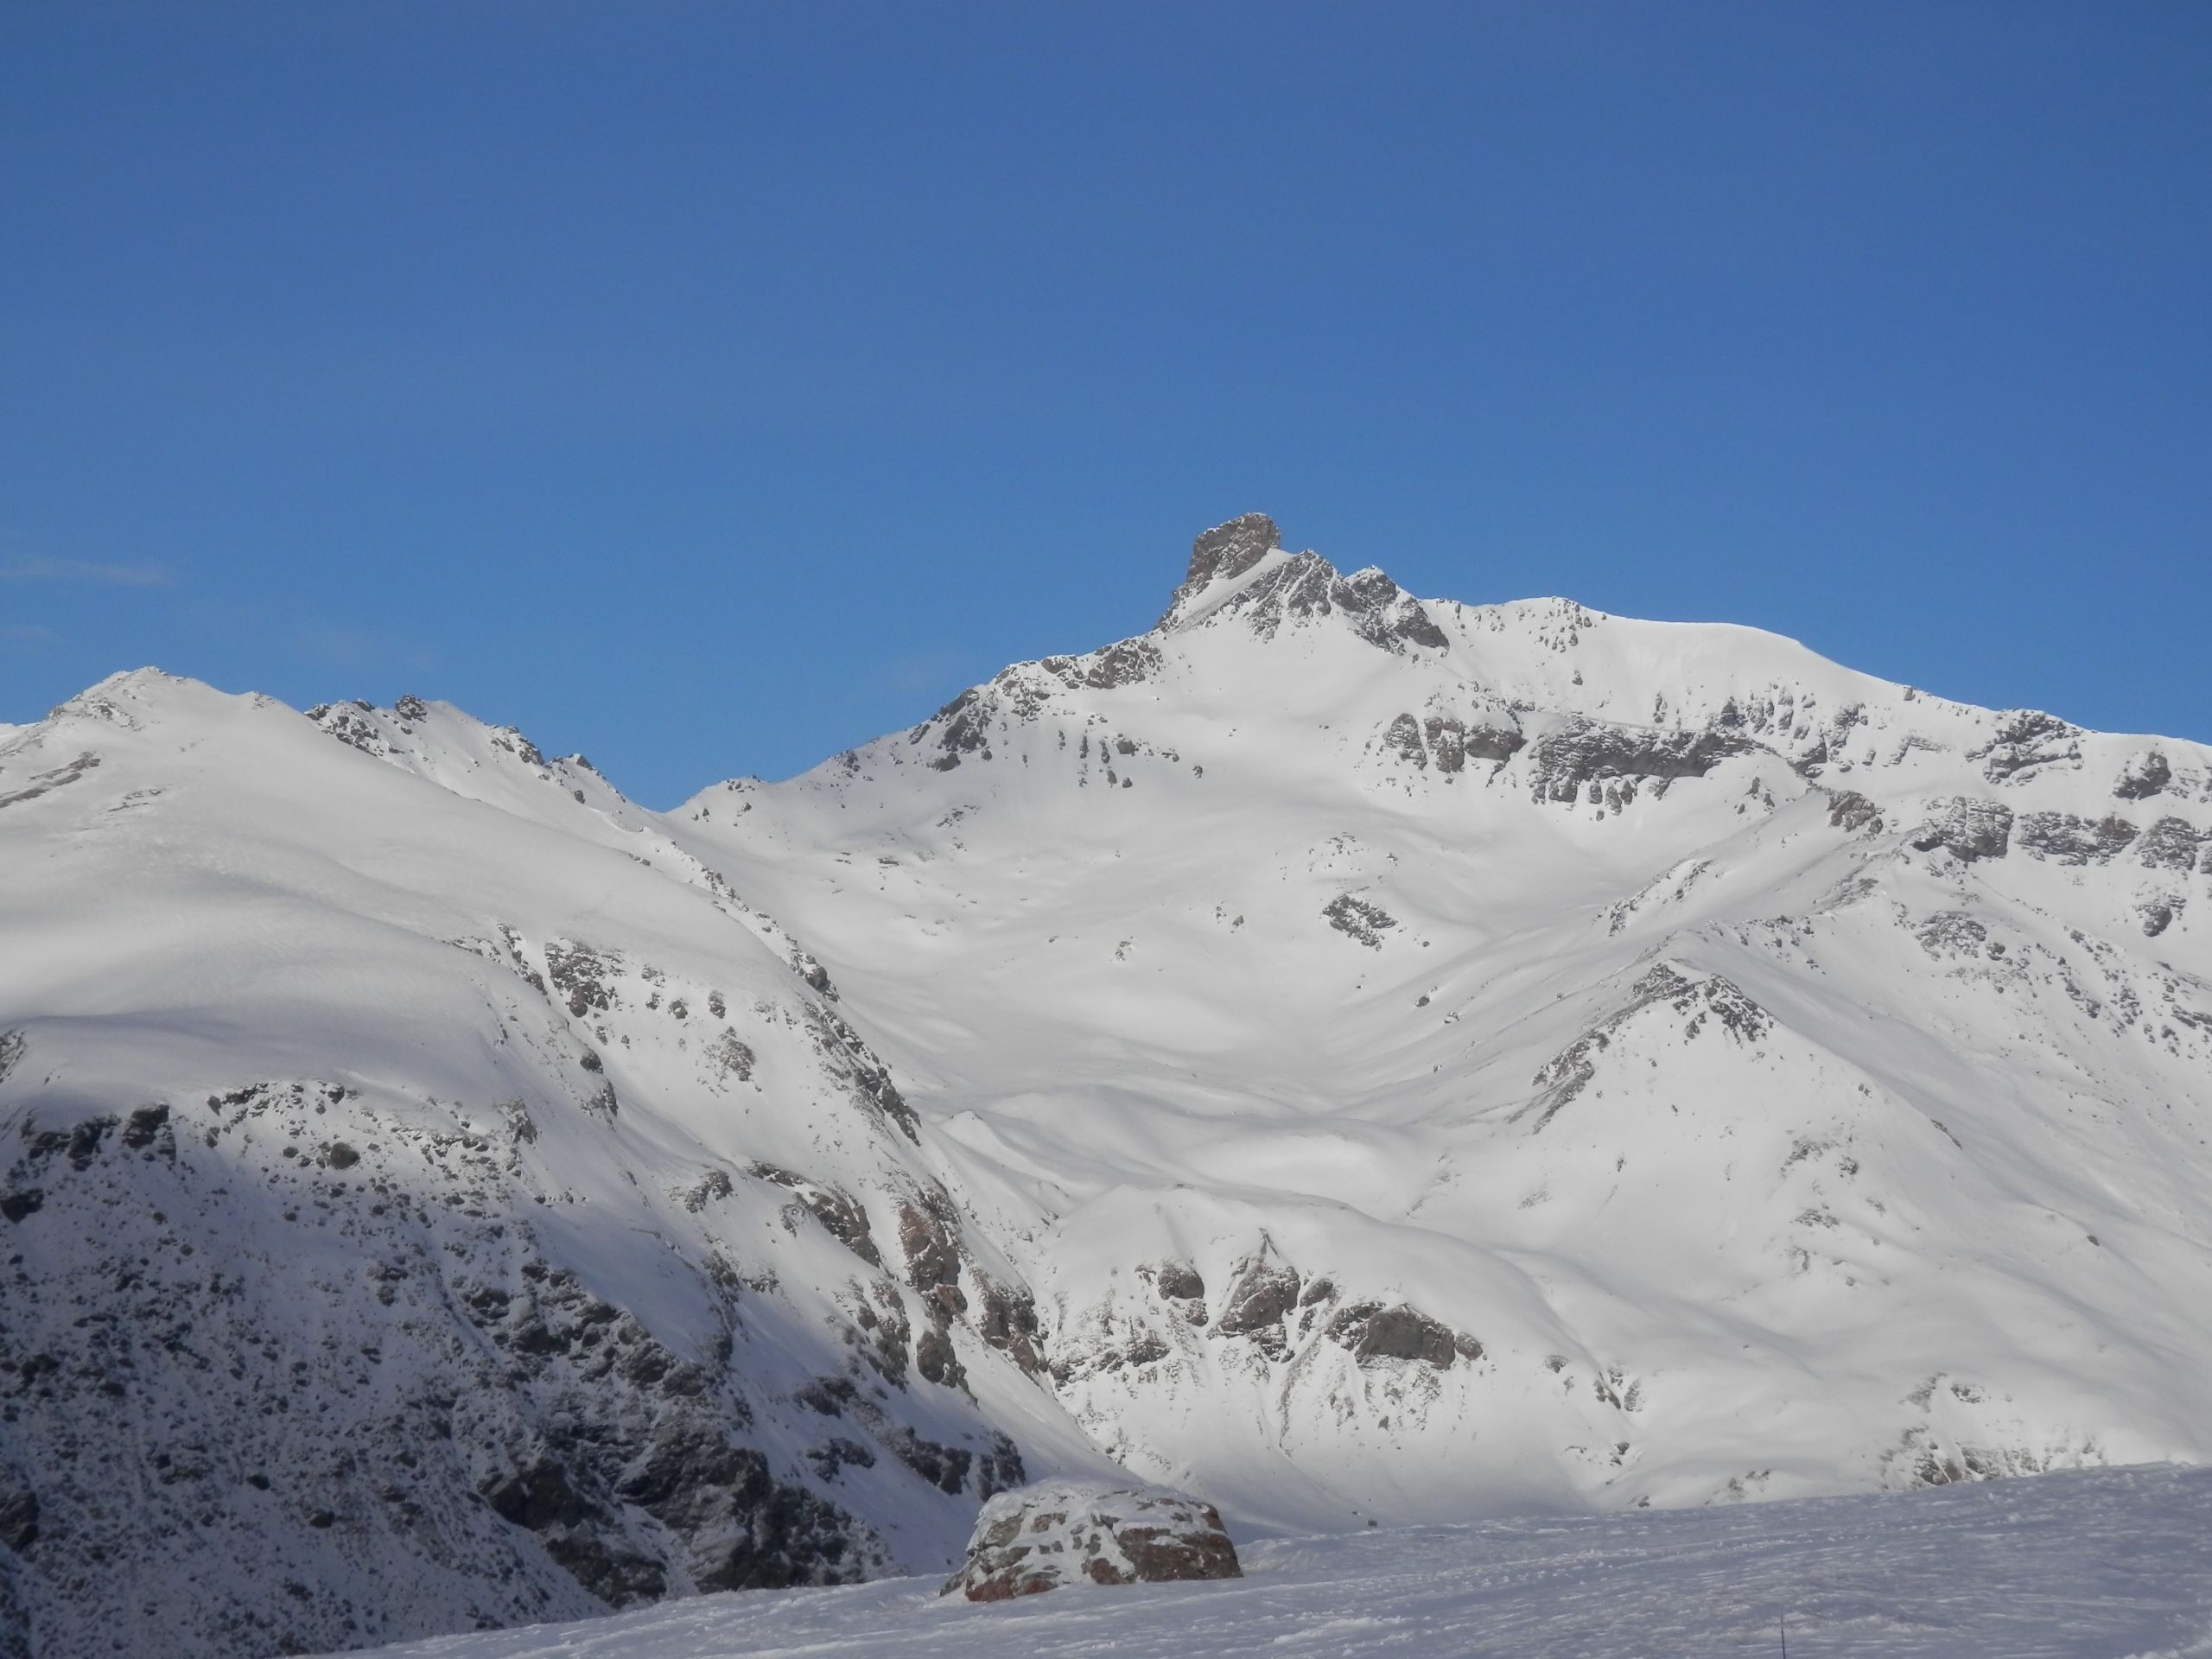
(2069, 1567)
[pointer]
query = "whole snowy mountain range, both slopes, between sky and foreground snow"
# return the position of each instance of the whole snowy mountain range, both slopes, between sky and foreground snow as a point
(1344, 1054)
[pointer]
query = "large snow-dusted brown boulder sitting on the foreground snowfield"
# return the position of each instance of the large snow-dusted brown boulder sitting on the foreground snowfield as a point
(1092, 1532)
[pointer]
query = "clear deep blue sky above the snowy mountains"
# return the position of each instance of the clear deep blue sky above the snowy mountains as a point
(709, 388)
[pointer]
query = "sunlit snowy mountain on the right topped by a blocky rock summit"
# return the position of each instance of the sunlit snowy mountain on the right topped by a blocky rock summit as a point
(1446, 1061)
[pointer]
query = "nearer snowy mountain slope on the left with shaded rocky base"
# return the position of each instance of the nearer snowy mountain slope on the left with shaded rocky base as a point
(430, 1200)
